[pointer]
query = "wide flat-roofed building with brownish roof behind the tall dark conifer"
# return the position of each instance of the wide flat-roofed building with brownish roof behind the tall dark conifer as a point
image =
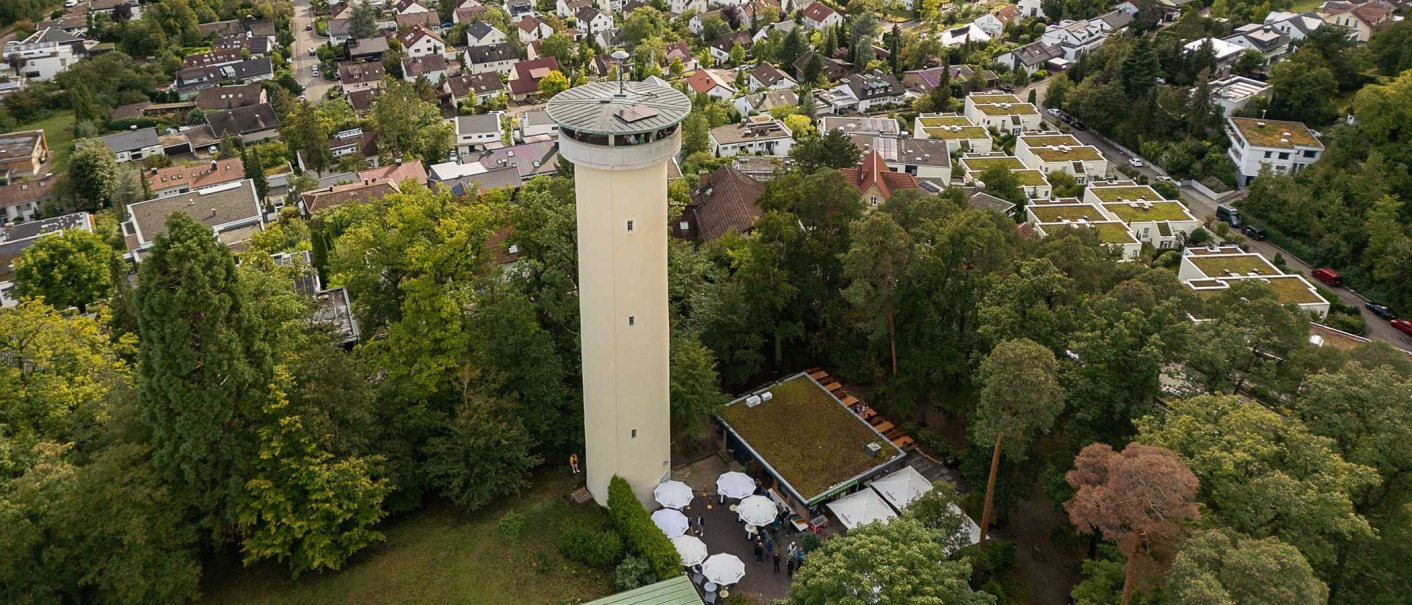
(232, 211)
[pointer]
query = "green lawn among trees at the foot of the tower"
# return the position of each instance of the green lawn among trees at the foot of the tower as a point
(444, 556)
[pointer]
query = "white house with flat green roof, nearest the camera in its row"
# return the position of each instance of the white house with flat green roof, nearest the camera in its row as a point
(1215, 269)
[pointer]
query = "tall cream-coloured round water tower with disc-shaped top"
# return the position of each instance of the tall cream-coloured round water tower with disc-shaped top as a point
(621, 138)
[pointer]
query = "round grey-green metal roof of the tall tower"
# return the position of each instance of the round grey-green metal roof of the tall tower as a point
(601, 108)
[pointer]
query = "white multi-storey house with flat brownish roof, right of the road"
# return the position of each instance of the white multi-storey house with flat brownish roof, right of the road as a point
(1284, 148)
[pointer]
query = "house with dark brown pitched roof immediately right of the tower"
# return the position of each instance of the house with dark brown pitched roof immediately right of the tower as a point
(722, 201)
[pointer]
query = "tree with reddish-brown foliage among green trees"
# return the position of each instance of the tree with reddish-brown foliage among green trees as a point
(1140, 498)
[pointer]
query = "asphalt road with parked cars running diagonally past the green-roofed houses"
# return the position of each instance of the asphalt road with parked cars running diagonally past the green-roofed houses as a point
(1202, 206)
